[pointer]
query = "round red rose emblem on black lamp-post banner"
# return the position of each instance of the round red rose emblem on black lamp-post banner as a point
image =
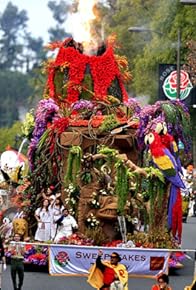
(170, 85)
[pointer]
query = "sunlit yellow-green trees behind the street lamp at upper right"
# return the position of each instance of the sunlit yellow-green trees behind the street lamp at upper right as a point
(145, 50)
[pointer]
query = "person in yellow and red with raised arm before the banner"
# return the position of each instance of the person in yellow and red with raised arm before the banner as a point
(108, 275)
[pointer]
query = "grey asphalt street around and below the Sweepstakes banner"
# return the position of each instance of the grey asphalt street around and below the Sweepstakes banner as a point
(178, 278)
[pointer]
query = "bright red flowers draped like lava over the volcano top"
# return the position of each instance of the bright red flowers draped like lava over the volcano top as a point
(104, 69)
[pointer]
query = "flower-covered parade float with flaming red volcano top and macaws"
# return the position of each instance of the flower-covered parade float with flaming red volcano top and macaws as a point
(115, 163)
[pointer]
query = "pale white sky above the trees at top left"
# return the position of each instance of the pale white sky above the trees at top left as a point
(40, 16)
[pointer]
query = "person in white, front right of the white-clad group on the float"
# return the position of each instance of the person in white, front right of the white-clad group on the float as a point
(66, 224)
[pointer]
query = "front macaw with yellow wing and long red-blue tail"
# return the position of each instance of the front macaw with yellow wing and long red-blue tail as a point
(166, 163)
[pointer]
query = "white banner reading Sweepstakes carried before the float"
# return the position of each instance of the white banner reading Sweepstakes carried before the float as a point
(76, 260)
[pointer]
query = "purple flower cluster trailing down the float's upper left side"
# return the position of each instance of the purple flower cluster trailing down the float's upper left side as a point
(46, 112)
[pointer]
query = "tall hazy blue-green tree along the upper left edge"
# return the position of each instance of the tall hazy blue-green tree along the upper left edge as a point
(21, 55)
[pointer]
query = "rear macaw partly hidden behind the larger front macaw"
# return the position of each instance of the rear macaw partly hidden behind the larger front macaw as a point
(169, 142)
